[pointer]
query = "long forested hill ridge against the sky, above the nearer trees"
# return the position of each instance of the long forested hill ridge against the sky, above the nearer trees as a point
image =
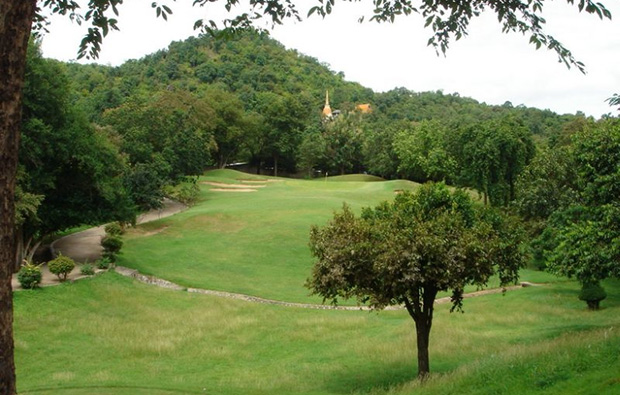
(252, 63)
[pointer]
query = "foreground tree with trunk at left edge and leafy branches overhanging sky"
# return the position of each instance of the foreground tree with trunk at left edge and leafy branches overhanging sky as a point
(448, 19)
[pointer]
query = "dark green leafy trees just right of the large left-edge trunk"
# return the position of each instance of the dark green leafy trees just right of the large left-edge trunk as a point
(73, 167)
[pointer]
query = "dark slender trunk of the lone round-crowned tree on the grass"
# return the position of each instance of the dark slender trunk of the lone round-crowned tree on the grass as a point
(421, 310)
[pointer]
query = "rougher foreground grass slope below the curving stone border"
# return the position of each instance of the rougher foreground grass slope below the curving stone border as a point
(113, 335)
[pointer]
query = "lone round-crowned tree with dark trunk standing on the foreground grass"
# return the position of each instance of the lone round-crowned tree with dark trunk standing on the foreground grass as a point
(405, 252)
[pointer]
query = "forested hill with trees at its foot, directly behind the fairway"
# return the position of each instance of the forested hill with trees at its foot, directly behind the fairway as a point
(247, 98)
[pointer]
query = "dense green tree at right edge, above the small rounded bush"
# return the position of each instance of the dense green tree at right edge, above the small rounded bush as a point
(585, 237)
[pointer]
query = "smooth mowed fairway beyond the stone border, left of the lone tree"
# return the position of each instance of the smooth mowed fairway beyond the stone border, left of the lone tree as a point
(254, 243)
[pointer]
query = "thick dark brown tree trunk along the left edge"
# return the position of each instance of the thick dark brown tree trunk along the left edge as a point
(15, 22)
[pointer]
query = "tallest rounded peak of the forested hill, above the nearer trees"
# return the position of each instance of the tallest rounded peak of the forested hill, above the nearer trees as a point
(248, 64)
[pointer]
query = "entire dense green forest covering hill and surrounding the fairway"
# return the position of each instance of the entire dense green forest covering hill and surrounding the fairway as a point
(103, 143)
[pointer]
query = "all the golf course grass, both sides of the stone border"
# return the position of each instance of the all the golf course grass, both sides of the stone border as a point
(114, 335)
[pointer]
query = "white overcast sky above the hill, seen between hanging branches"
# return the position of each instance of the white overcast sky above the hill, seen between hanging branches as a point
(487, 65)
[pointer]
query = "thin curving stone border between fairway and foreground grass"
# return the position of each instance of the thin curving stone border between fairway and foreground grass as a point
(152, 280)
